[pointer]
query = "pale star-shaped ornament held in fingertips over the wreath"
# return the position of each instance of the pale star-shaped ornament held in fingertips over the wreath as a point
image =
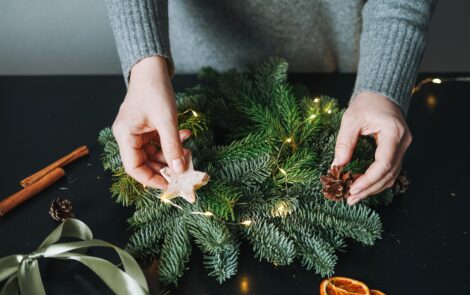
(184, 184)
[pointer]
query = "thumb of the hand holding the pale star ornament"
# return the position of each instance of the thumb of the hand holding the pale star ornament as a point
(172, 148)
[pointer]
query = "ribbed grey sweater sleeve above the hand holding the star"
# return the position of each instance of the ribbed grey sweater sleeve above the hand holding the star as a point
(140, 30)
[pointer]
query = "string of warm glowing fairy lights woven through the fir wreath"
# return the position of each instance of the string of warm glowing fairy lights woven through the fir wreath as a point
(282, 209)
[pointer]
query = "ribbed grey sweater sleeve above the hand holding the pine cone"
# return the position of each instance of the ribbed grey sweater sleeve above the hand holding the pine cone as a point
(392, 44)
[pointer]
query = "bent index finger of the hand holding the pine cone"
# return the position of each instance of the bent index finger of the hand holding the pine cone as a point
(387, 146)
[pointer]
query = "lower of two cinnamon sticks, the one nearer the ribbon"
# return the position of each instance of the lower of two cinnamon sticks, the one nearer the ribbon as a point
(30, 191)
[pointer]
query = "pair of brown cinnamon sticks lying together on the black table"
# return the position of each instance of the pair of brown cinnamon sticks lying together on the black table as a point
(40, 180)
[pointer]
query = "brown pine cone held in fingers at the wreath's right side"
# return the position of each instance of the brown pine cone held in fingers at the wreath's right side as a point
(336, 183)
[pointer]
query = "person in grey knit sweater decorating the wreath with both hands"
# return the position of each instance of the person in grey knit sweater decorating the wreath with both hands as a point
(383, 40)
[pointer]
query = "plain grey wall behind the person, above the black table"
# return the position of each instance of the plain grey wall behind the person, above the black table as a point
(44, 37)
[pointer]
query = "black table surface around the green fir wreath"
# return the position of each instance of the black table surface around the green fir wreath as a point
(425, 247)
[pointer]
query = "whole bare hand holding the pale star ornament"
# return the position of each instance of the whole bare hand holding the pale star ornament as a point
(146, 127)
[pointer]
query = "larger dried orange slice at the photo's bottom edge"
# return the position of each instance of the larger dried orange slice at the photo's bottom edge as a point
(343, 286)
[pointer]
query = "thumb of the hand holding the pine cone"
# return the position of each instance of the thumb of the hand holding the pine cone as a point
(345, 144)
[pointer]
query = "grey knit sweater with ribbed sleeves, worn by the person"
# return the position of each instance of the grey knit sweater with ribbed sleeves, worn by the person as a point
(383, 40)
